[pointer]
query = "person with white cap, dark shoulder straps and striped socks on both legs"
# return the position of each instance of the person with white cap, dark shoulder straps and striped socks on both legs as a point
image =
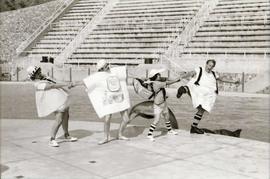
(160, 104)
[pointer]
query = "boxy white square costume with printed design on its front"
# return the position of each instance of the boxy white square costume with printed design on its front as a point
(108, 91)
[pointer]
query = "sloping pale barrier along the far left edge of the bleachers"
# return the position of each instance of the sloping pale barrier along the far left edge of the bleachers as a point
(59, 9)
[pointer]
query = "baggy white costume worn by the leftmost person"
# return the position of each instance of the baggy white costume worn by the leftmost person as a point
(49, 101)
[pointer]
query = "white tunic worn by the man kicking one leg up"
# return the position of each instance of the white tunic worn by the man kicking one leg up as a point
(203, 94)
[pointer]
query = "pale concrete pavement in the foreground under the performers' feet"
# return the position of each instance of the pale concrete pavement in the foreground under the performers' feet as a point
(25, 154)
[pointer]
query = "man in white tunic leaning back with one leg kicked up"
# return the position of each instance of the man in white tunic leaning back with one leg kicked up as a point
(203, 90)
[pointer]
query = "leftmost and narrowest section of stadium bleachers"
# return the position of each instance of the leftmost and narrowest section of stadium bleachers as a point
(64, 28)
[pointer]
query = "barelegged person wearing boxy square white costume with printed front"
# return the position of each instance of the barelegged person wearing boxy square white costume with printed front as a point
(108, 93)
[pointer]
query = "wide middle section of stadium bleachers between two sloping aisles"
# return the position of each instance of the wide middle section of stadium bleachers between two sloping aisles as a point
(135, 31)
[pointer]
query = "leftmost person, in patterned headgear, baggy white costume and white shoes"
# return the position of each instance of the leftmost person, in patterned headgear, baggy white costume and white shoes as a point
(51, 98)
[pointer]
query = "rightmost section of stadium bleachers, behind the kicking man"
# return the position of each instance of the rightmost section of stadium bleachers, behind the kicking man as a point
(239, 27)
